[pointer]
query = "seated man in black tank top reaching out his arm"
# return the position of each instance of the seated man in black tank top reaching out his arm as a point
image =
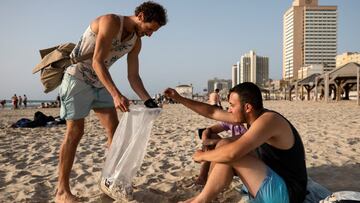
(275, 173)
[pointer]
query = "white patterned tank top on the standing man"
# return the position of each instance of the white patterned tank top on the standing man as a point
(84, 70)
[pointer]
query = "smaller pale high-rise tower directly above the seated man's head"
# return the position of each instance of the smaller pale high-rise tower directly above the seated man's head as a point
(253, 68)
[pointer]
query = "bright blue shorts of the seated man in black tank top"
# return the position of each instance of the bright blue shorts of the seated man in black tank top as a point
(272, 190)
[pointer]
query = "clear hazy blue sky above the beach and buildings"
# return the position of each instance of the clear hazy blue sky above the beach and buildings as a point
(202, 40)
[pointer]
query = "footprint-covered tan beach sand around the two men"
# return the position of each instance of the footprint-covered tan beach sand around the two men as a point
(29, 157)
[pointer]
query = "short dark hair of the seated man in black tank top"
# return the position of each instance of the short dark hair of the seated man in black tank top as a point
(249, 93)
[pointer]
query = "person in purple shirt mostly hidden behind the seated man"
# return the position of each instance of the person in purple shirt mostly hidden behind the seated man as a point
(210, 137)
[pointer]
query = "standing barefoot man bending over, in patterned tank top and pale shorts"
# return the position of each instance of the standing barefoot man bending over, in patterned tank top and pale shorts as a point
(88, 85)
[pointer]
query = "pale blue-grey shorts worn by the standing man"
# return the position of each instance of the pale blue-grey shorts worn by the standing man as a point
(78, 98)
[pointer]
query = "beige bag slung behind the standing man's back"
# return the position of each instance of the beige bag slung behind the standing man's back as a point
(54, 62)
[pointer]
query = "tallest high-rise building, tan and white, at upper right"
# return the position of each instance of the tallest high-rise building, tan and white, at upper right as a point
(309, 37)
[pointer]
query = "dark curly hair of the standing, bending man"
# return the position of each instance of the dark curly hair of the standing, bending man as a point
(152, 12)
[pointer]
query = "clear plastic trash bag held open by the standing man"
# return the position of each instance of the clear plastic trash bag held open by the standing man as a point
(127, 151)
